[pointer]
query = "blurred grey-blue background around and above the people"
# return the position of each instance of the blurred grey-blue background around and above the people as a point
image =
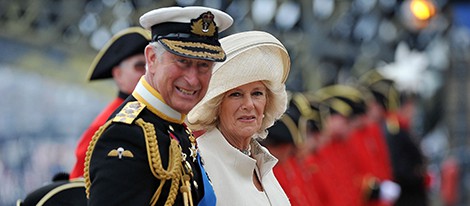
(46, 48)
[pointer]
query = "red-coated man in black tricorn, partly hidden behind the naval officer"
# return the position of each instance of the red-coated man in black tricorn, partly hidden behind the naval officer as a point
(122, 58)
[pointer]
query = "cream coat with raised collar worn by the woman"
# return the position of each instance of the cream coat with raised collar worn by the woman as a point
(231, 172)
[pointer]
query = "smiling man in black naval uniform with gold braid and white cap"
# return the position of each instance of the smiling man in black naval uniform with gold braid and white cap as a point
(144, 154)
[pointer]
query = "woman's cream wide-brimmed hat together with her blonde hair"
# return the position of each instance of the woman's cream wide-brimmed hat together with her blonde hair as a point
(251, 56)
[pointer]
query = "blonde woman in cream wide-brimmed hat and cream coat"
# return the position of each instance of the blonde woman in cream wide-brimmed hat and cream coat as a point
(245, 96)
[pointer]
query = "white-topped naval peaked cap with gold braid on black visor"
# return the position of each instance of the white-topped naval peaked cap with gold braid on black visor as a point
(191, 31)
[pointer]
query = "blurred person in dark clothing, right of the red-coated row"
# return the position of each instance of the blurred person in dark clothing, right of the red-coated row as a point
(408, 164)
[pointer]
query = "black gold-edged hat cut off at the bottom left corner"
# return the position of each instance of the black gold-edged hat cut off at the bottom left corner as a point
(58, 192)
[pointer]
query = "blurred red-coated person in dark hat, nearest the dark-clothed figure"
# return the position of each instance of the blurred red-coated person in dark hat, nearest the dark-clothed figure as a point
(358, 150)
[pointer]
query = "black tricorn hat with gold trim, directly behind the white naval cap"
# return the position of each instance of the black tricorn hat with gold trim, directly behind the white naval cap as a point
(124, 44)
